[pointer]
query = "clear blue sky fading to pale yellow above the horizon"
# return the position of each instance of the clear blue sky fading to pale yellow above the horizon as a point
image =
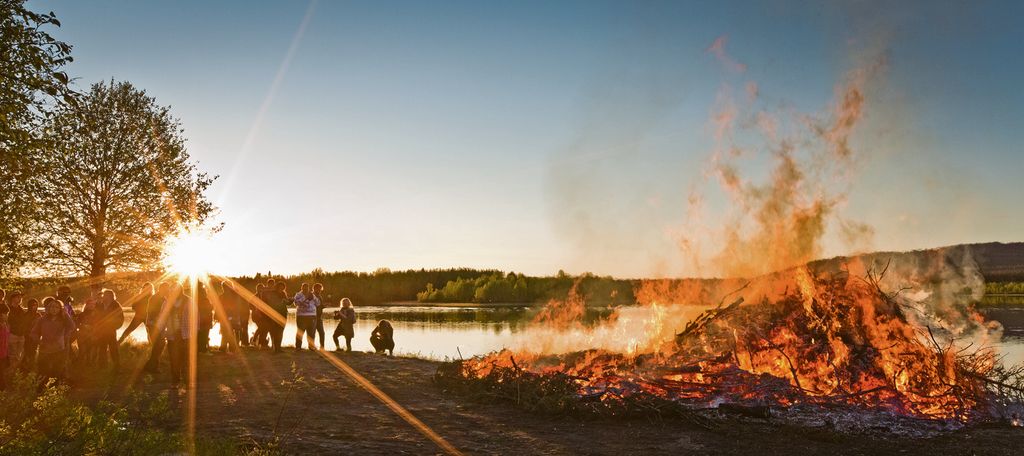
(535, 137)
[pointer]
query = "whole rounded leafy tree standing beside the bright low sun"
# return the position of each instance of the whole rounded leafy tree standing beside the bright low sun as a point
(118, 182)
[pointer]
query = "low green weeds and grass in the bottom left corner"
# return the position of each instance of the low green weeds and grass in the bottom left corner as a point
(57, 419)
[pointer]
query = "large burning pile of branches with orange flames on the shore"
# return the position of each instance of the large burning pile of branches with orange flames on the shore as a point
(827, 342)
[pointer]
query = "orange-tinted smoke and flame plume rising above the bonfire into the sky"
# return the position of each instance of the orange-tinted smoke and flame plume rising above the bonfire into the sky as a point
(781, 221)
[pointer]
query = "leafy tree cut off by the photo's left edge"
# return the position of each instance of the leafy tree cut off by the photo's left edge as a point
(31, 85)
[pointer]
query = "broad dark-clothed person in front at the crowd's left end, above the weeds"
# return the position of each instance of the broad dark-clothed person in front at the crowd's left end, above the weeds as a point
(52, 335)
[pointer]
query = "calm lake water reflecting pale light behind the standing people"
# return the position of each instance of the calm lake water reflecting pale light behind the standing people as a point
(440, 334)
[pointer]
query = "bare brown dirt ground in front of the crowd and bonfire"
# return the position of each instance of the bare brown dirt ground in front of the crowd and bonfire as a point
(248, 397)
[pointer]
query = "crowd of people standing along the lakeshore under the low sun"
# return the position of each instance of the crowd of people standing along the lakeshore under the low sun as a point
(65, 337)
